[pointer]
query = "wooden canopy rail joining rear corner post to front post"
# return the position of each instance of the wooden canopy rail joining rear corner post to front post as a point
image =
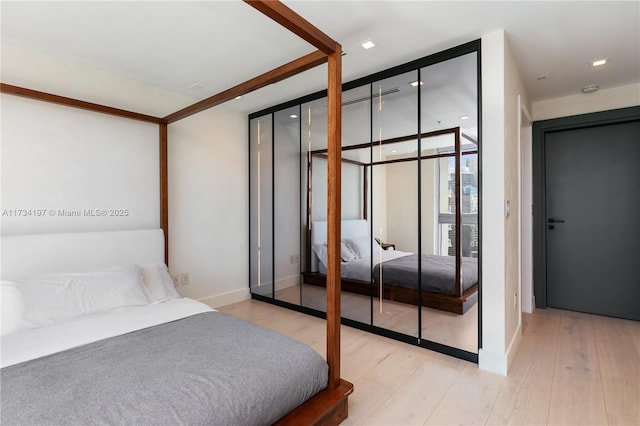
(285, 71)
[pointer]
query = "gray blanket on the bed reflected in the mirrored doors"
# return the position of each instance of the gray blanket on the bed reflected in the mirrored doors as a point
(438, 273)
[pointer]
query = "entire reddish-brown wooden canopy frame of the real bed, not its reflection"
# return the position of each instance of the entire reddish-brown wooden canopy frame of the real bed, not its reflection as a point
(330, 405)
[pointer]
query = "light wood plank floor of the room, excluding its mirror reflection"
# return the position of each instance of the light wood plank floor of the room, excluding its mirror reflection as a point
(571, 369)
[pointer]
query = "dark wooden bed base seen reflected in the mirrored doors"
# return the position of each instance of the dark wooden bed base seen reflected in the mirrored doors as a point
(443, 302)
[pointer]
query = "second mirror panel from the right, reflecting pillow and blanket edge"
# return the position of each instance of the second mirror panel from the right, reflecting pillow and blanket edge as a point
(394, 208)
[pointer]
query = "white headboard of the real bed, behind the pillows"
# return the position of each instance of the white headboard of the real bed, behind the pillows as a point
(35, 254)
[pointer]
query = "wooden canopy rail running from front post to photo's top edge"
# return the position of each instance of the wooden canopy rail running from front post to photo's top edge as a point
(296, 24)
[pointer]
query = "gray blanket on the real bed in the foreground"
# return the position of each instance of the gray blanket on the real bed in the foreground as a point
(207, 369)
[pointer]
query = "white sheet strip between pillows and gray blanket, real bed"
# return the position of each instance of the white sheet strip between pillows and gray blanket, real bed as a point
(38, 342)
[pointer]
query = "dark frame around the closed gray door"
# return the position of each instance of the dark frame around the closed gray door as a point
(540, 130)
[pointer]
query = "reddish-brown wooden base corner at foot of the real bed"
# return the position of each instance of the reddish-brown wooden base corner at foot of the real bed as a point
(326, 408)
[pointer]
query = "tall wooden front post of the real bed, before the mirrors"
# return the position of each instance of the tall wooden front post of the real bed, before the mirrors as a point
(334, 129)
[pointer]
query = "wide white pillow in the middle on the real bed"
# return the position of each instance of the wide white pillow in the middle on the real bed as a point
(53, 299)
